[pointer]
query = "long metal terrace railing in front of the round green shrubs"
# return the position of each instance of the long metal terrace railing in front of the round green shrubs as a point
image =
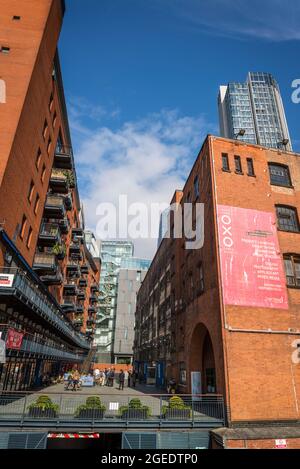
(78, 409)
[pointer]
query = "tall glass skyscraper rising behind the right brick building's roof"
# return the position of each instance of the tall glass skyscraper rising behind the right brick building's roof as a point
(256, 107)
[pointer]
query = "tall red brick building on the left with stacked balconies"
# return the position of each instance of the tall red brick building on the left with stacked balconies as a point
(42, 244)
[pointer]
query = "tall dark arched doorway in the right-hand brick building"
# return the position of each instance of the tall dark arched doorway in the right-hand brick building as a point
(202, 362)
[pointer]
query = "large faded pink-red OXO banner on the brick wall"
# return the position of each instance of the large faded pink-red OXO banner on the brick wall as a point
(251, 266)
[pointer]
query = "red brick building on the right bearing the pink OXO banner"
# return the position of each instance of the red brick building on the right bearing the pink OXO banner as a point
(229, 311)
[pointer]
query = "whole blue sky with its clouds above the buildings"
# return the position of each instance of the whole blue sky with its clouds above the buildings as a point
(141, 80)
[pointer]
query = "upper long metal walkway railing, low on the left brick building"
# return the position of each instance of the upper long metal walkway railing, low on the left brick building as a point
(25, 290)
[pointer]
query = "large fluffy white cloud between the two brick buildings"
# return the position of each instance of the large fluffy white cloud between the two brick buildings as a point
(146, 160)
